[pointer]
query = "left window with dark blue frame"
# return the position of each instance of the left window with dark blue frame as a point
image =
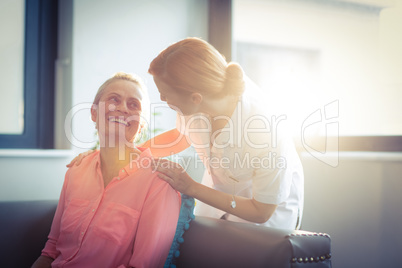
(35, 103)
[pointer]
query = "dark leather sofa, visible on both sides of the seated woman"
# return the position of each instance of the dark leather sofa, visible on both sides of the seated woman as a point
(24, 227)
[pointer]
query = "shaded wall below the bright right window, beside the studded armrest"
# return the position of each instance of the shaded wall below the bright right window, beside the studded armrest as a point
(358, 203)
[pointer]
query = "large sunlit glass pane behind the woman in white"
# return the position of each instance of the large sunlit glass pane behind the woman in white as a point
(335, 61)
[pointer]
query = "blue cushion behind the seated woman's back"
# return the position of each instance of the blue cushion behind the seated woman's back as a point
(185, 216)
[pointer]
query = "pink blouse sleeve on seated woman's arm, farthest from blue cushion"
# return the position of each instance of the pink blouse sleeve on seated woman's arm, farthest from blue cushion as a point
(50, 246)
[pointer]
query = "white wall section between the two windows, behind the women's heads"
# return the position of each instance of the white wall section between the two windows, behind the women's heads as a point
(125, 35)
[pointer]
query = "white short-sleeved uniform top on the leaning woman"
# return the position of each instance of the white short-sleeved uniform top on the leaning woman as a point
(249, 158)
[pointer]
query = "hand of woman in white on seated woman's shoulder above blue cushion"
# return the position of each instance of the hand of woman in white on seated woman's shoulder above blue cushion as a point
(174, 174)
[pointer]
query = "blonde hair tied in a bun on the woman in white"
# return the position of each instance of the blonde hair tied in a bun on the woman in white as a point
(194, 65)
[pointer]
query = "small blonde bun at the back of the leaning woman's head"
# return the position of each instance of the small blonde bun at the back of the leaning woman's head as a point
(234, 82)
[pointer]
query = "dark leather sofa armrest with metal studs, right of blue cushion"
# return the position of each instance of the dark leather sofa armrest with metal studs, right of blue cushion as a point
(220, 243)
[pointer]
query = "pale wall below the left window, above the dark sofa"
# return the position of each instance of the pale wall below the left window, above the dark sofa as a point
(32, 174)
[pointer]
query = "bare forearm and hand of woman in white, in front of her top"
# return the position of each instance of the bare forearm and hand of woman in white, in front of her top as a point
(247, 209)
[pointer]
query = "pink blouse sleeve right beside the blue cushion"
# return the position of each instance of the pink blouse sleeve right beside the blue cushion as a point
(156, 227)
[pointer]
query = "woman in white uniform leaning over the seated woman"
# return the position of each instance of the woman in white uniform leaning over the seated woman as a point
(253, 172)
